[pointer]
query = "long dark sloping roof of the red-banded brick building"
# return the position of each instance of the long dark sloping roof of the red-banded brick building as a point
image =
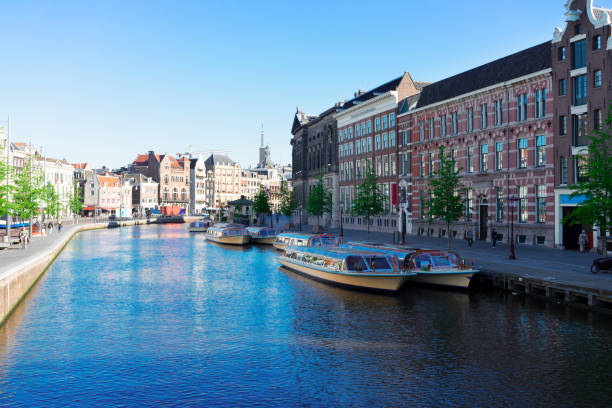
(522, 63)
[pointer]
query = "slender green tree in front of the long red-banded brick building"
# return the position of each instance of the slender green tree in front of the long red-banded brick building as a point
(446, 200)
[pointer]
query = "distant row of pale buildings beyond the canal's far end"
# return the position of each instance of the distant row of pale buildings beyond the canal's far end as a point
(156, 183)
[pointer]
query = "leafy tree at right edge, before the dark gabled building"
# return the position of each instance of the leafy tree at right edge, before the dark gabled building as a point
(595, 183)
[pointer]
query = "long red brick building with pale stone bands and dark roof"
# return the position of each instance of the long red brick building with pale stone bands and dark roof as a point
(496, 122)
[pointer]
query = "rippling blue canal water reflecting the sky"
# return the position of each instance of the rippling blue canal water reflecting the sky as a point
(154, 316)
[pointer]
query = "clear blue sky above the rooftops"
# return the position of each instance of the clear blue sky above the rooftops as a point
(102, 81)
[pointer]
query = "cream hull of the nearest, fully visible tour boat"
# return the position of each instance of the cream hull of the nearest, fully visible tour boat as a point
(390, 283)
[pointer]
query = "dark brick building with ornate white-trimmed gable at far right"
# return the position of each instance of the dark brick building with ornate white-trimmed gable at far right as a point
(582, 75)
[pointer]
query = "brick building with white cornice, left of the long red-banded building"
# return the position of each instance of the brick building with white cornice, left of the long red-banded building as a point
(367, 136)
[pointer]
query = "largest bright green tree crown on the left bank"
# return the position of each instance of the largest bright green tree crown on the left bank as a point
(25, 193)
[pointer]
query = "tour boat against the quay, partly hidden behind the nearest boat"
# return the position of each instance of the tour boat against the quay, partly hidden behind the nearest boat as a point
(432, 266)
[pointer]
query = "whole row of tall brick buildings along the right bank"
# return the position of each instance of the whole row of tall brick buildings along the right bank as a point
(515, 128)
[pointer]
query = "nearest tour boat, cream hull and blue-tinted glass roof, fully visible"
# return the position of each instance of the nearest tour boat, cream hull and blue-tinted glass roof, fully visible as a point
(347, 267)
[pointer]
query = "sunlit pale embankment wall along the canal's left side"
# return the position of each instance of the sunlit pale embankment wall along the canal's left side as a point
(18, 278)
